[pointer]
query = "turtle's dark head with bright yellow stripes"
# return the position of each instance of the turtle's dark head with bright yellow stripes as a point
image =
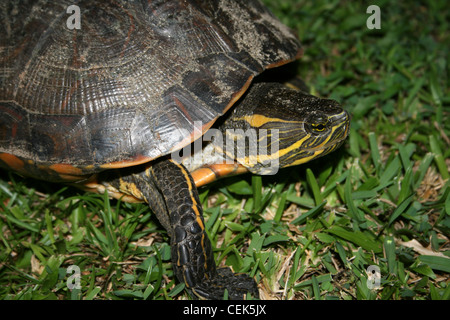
(274, 126)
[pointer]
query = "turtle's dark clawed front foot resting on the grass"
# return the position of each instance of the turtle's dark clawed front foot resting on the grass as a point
(237, 285)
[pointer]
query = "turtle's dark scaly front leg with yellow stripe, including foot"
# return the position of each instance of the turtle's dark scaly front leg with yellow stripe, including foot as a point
(170, 192)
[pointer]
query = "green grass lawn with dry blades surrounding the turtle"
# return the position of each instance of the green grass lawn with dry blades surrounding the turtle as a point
(310, 232)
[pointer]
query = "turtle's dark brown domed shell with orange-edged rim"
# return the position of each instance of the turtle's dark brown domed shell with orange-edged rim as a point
(131, 83)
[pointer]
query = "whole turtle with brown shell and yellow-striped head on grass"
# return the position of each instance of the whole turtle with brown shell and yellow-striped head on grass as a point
(123, 96)
